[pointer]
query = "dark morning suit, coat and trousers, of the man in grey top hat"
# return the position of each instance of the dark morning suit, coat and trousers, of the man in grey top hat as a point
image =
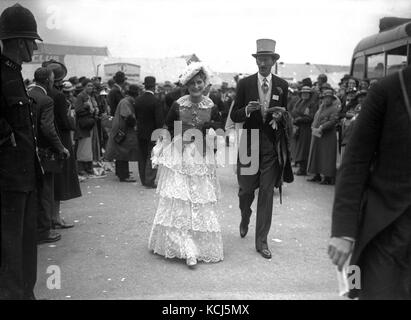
(274, 160)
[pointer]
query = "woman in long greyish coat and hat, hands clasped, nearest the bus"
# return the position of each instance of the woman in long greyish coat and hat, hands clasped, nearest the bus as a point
(323, 150)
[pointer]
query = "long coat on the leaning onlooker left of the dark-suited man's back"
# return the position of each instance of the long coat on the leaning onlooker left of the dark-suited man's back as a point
(124, 120)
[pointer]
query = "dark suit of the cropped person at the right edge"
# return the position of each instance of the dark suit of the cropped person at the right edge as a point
(373, 192)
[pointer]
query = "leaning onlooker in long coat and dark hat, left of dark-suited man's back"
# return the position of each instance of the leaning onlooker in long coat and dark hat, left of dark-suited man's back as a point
(122, 144)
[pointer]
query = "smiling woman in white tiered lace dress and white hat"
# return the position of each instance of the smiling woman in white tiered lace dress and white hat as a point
(186, 224)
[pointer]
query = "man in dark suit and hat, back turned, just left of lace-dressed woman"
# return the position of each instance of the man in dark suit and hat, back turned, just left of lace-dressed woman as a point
(149, 114)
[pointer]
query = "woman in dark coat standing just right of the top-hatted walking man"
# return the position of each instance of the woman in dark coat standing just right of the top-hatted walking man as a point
(303, 115)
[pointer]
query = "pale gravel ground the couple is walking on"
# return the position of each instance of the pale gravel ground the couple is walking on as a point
(105, 255)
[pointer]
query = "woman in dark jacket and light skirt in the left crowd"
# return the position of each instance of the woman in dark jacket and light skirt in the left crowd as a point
(86, 135)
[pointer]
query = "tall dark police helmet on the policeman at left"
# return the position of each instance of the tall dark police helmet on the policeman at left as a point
(18, 22)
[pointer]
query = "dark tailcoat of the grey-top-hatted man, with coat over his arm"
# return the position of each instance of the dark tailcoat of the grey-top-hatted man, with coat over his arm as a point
(247, 90)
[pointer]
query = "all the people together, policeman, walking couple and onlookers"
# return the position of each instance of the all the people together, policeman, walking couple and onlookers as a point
(55, 132)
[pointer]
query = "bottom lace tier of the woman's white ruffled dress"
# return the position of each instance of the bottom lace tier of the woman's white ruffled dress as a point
(179, 243)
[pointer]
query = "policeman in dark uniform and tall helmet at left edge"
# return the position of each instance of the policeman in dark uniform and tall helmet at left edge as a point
(20, 169)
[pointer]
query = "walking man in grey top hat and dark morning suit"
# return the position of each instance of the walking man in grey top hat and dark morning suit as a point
(260, 103)
